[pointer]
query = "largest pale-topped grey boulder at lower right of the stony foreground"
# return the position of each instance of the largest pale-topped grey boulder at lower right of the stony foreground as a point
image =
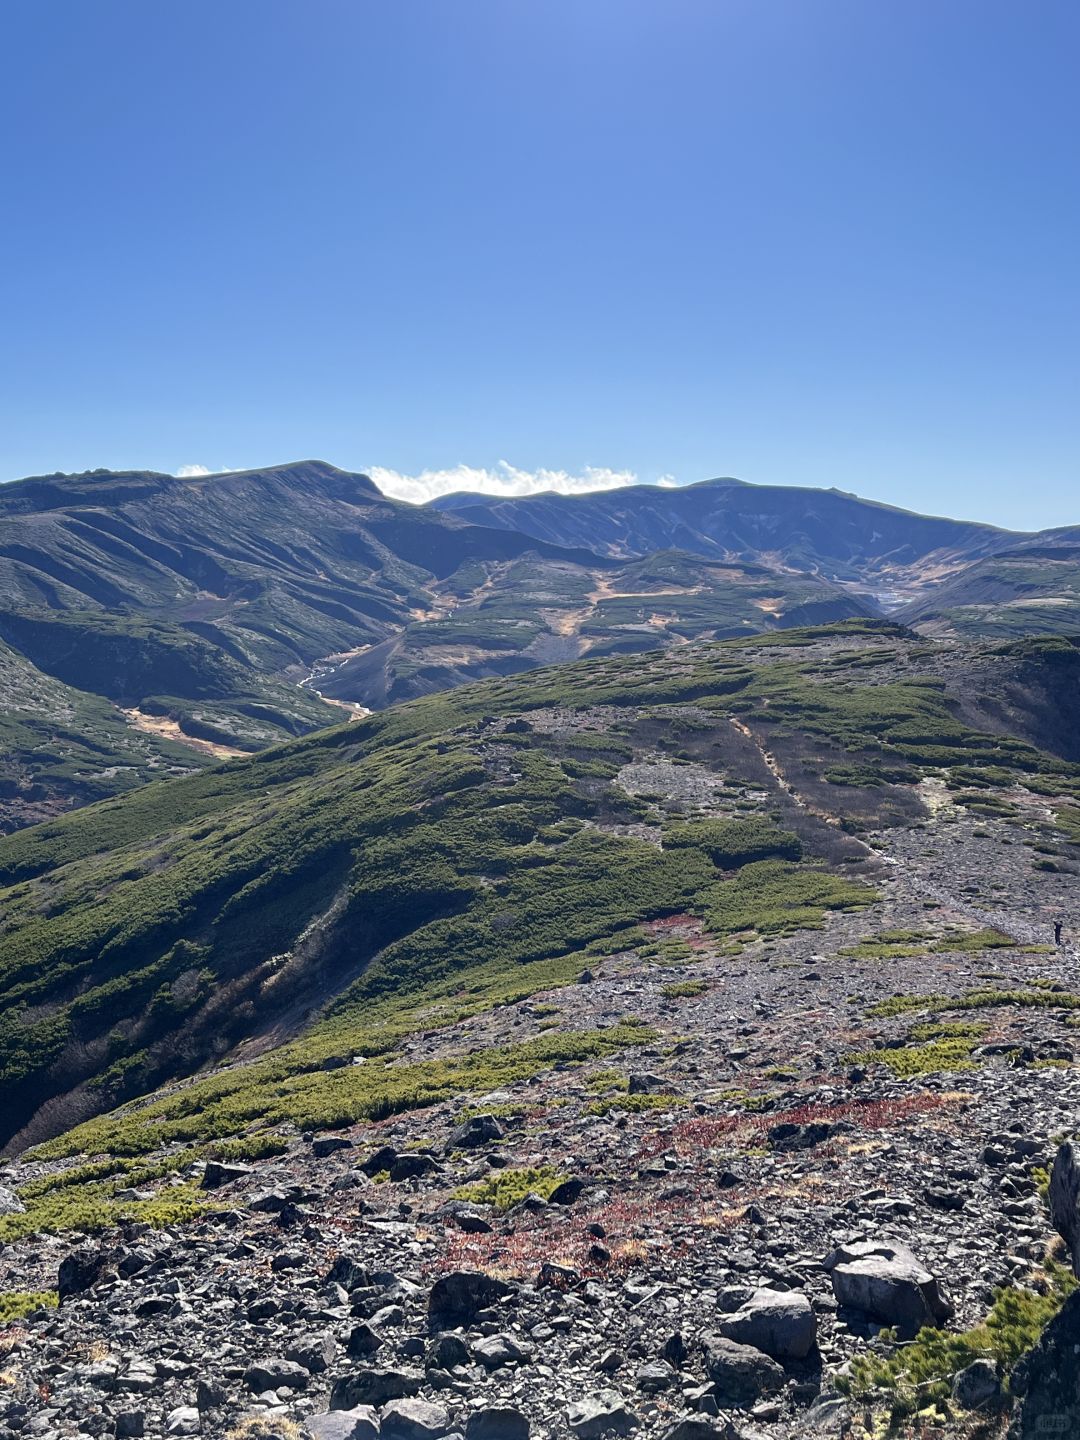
(889, 1284)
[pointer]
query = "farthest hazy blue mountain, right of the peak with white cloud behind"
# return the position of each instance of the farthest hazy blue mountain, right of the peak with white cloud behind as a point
(879, 549)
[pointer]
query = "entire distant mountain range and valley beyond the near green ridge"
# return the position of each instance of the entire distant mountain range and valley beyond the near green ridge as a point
(227, 613)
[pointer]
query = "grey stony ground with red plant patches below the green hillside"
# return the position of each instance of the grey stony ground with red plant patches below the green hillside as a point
(738, 1206)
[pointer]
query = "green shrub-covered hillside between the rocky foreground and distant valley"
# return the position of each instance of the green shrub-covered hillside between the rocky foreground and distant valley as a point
(459, 847)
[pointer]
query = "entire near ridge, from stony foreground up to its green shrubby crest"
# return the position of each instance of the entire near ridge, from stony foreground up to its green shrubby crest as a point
(577, 1029)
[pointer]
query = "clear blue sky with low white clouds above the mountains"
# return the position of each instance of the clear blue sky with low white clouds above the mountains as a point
(826, 243)
